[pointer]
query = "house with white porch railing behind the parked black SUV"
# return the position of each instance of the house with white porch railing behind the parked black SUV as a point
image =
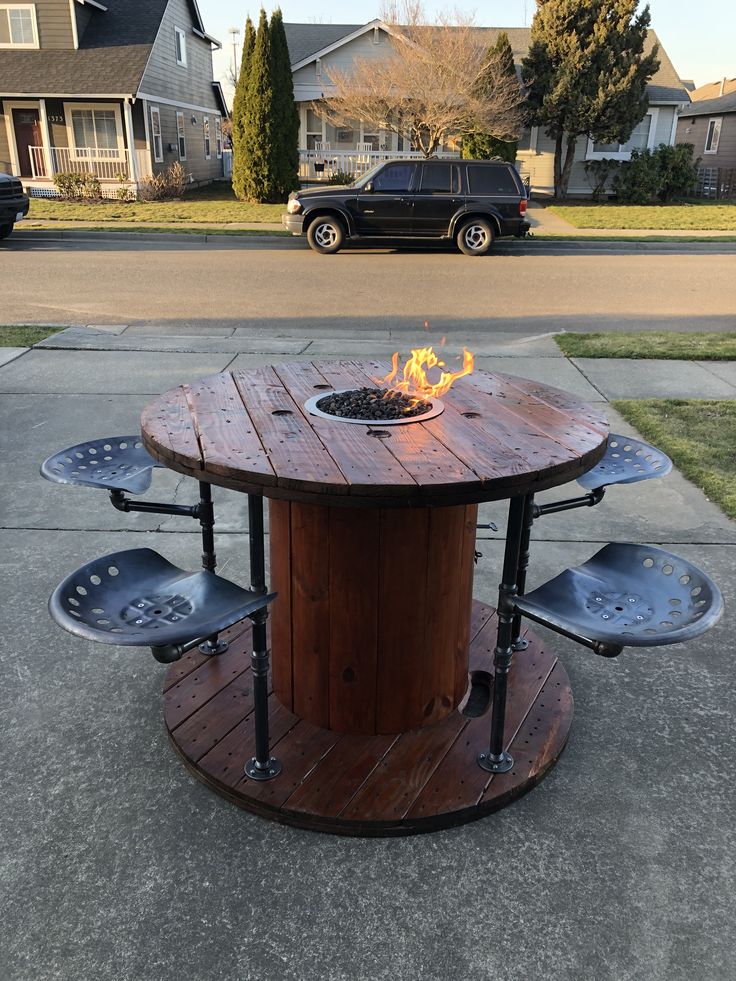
(314, 48)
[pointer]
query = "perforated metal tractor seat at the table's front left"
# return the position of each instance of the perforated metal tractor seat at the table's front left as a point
(137, 598)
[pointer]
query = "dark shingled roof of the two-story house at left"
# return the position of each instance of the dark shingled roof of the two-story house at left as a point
(111, 58)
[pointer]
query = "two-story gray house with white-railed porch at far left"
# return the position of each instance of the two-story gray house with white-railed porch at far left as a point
(119, 89)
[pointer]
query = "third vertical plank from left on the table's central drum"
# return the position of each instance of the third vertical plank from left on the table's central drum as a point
(354, 542)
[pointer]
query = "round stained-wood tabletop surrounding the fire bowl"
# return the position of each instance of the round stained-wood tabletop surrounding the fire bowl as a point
(498, 436)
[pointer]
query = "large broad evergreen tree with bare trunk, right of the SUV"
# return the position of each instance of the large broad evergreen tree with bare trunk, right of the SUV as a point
(586, 74)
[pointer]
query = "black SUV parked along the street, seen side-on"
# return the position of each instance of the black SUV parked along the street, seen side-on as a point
(469, 202)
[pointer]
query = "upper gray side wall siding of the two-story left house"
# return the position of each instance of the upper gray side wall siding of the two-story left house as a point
(165, 79)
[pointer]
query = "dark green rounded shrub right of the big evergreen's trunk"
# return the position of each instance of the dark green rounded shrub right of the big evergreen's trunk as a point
(664, 173)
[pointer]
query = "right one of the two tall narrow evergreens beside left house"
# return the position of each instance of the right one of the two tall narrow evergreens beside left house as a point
(285, 147)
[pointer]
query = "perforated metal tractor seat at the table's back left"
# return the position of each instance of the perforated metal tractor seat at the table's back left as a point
(112, 462)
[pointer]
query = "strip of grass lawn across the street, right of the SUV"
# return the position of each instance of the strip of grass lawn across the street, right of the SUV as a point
(701, 217)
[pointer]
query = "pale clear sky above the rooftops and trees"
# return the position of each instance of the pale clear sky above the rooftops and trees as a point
(700, 38)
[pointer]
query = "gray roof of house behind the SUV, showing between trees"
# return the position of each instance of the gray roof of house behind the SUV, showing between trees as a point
(308, 41)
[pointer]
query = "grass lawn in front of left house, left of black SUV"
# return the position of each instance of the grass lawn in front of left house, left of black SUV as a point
(214, 203)
